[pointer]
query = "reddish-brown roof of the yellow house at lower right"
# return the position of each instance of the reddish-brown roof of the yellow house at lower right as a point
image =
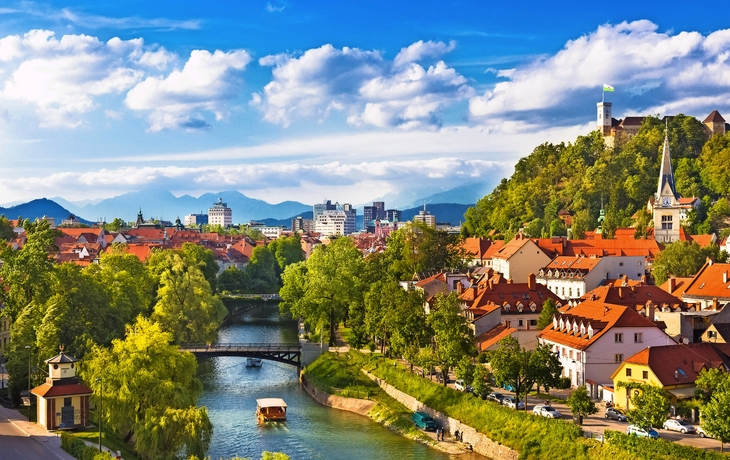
(678, 364)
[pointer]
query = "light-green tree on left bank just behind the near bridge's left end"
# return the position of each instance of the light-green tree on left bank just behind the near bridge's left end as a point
(186, 307)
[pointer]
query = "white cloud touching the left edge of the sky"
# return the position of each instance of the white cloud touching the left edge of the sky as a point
(61, 78)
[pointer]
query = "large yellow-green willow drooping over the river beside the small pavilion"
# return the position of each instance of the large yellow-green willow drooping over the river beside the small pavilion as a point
(150, 392)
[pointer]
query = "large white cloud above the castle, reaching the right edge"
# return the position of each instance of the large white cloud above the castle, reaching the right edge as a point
(651, 66)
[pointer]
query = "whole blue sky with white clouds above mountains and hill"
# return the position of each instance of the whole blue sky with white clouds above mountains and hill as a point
(349, 101)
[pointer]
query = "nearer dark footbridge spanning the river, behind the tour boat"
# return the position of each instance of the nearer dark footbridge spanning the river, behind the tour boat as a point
(288, 353)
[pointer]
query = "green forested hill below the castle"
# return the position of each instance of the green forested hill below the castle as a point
(579, 176)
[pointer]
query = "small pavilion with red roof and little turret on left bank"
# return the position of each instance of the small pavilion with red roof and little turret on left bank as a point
(63, 402)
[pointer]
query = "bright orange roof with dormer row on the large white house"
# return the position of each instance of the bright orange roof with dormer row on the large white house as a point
(599, 315)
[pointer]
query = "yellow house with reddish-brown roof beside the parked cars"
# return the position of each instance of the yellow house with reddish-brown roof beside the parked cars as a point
(673, 368)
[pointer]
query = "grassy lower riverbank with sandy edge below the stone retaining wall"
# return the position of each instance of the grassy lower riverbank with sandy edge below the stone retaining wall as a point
(332, 374)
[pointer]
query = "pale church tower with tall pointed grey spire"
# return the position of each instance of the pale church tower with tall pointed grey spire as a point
(666, 200)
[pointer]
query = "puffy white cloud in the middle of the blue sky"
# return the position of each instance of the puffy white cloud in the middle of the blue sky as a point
(362, 84)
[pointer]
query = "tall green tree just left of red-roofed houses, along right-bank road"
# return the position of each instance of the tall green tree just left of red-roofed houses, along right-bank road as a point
(452, 339)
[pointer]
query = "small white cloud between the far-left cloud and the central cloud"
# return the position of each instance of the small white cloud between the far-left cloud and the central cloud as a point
(207, 82)
